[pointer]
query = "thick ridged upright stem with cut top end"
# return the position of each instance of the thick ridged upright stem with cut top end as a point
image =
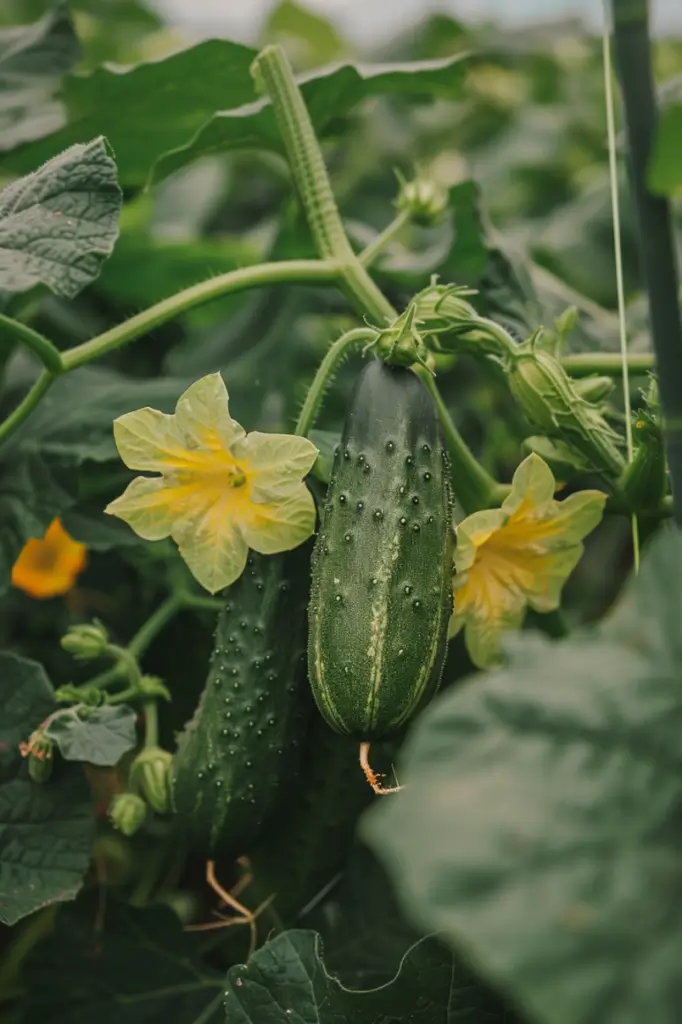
(273, 72)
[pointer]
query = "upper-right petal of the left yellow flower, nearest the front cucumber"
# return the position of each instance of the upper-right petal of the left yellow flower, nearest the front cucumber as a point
(276, 463)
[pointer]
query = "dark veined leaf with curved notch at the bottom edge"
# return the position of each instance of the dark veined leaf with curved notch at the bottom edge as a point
(287, 980)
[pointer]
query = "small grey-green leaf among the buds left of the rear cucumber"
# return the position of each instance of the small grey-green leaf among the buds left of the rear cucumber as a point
(98, 736)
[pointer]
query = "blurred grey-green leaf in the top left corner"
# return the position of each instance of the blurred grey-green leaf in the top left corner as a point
(33, 59)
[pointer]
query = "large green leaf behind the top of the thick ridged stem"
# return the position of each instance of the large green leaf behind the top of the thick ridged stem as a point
(169, 106)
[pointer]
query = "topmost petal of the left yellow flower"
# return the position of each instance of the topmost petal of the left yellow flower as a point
(203, 415)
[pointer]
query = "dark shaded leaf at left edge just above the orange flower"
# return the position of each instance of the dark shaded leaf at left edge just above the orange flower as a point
(31, 496)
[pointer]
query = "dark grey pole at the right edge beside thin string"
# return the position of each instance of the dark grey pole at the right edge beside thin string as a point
(657, 243)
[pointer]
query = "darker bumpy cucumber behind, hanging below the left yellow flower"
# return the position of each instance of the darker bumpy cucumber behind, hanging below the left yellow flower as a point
(240, 754)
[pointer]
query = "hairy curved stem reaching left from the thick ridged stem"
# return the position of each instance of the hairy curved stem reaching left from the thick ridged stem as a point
(294, 272)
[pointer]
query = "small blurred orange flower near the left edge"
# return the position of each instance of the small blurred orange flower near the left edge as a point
(50, 567)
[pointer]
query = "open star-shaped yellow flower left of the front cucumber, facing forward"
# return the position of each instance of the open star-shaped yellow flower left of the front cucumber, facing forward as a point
(221, 491)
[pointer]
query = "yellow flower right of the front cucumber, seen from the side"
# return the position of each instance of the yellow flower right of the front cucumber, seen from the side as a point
(517, 558)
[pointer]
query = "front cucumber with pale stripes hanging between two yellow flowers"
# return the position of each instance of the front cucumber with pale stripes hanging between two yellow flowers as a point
(382, 564)
